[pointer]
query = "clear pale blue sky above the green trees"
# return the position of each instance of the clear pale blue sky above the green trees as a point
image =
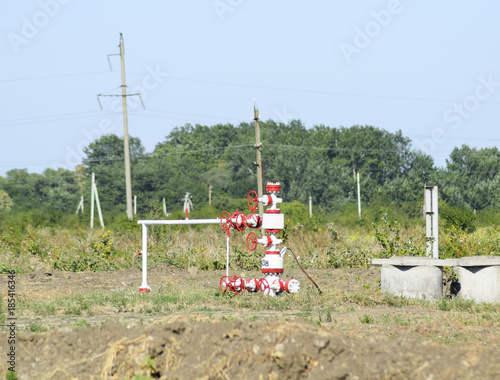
(429, 68)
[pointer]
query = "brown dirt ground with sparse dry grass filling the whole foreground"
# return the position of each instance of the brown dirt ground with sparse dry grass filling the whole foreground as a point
(96, 325)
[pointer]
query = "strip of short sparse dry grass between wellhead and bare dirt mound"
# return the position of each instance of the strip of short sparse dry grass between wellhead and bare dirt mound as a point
(355, 310)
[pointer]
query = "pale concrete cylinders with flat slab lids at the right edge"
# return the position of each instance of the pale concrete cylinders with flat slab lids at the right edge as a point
(422, 277)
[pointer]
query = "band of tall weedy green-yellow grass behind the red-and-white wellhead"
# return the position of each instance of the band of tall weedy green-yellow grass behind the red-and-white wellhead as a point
(322, 247)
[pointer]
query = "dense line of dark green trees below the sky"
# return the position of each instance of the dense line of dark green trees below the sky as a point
(319, 162)
